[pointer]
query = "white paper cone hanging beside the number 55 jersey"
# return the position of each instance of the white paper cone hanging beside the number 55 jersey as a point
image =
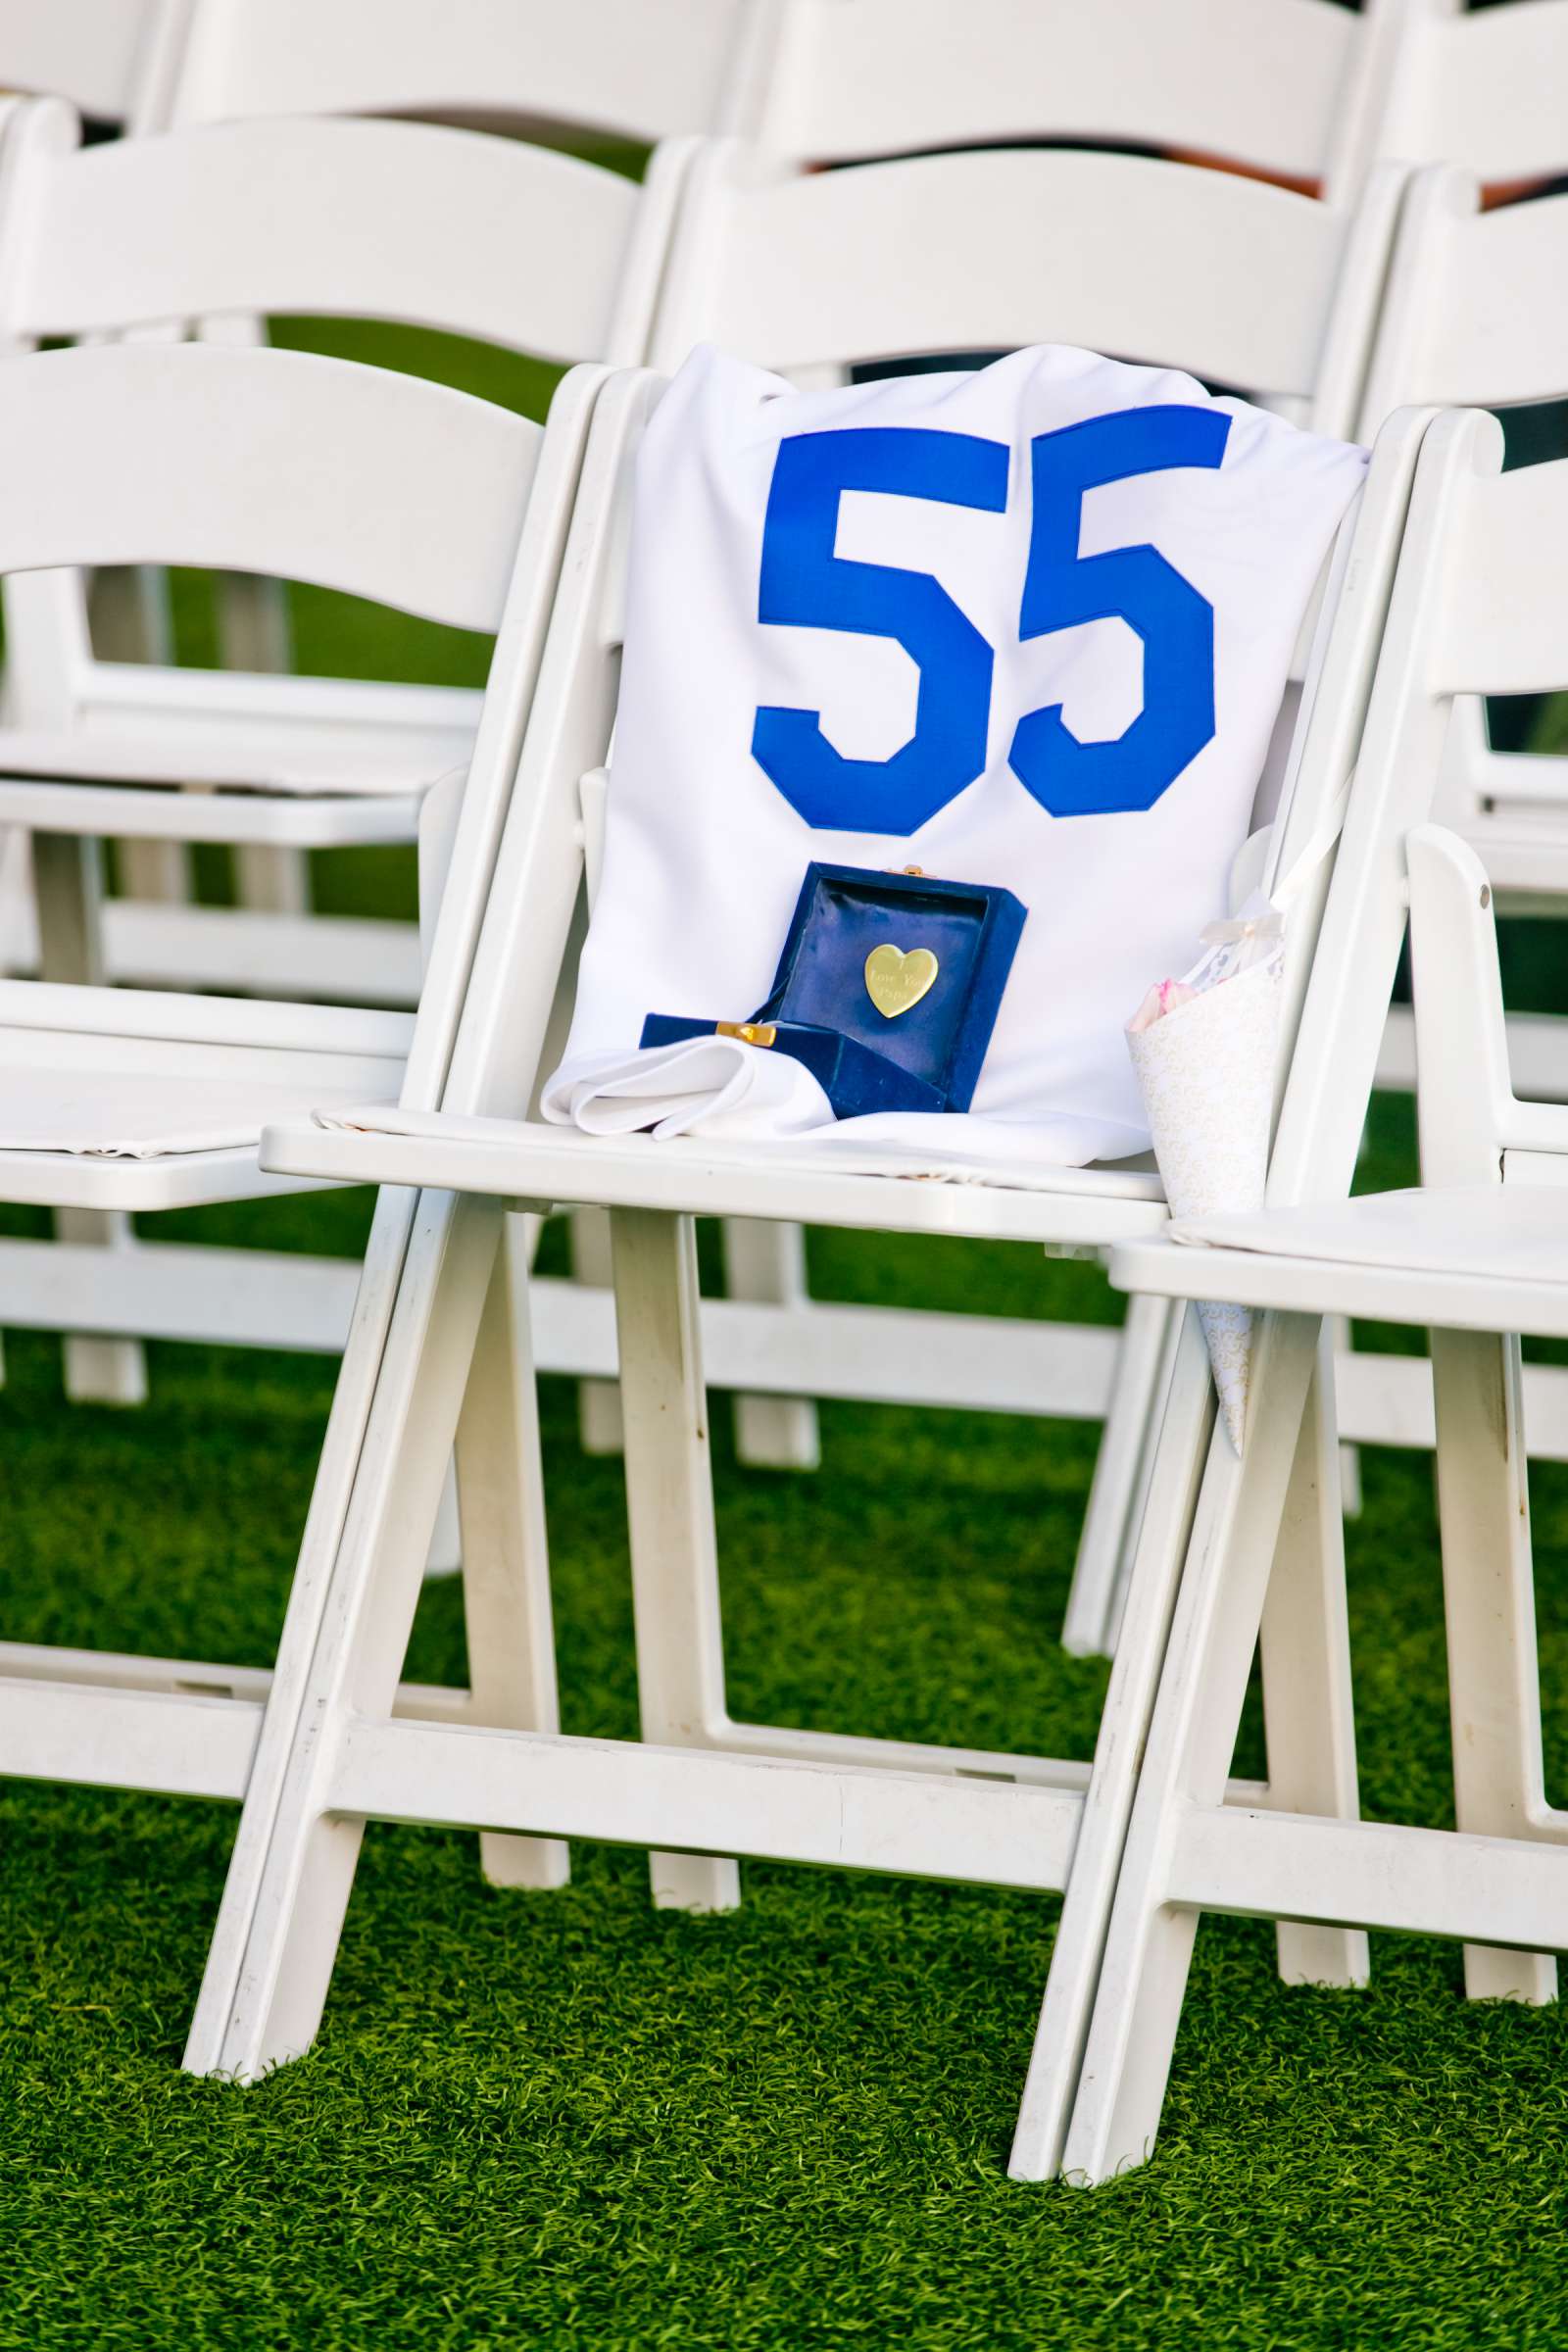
(1207, 1076)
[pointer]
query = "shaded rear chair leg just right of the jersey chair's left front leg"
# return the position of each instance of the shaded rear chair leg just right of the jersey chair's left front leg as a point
(507, 1556)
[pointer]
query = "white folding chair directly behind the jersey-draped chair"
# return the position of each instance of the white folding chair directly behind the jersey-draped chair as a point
(1224, 276)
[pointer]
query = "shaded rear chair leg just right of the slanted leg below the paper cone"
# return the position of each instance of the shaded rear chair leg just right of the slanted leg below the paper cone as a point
(1308, 1706)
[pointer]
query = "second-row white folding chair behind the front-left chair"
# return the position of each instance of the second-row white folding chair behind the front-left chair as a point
(314, 215)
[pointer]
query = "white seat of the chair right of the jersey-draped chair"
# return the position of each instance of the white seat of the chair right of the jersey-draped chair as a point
(1466, 1259)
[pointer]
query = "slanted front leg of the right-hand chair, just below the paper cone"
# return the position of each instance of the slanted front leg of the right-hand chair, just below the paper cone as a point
(1193, 1737)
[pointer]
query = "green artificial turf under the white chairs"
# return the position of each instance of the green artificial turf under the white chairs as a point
(572, 2123)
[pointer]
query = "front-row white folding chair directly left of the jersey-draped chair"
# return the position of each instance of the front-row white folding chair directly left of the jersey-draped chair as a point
(135, 1100)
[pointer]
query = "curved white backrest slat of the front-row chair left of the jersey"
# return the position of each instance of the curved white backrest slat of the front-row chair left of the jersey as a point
(264, 462)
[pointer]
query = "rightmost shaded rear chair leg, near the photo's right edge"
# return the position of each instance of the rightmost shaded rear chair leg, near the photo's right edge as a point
(1489, 1601)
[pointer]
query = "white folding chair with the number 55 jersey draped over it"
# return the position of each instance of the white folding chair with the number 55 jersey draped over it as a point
(704, 1784)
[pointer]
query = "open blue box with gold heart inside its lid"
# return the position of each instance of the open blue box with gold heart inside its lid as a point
(887, 989)
